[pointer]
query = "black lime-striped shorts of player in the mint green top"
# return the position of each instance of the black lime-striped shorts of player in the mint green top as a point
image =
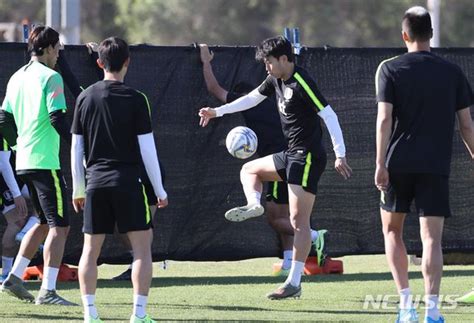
(48, 194)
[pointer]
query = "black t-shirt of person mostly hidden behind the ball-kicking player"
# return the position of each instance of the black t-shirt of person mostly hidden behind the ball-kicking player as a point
(264, 120)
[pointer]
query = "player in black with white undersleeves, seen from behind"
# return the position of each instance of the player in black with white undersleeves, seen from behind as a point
(112, 129)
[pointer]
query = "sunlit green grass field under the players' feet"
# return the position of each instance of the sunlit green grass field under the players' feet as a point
(235, 291)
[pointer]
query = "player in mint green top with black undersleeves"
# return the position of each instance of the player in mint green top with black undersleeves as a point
(34, 107)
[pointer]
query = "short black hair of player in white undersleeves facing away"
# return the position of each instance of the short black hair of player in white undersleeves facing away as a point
(113, 52)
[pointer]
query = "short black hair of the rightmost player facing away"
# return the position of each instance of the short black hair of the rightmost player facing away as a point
(417, 24)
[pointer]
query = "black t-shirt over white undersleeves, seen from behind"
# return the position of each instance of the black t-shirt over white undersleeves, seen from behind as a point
(110, 115)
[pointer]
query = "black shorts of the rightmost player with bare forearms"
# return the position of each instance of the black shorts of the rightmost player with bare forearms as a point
(430, 192)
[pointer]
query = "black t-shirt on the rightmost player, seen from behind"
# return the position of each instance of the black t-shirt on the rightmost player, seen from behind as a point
(426, 91)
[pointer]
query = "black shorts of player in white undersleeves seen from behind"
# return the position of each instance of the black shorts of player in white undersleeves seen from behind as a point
(110, 206)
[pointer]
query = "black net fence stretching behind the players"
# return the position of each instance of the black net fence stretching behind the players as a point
(202, 179)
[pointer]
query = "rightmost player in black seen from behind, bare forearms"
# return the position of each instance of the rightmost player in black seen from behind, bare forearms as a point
(419, 94)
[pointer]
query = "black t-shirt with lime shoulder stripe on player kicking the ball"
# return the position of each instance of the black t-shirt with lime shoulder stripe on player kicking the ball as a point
(299, 102)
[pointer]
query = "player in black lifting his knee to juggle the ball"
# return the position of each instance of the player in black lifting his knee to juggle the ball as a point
(301, 165)
